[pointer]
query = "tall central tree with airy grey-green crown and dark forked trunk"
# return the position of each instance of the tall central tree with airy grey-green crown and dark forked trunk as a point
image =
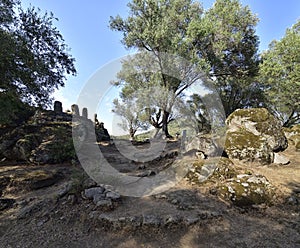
(158, 27)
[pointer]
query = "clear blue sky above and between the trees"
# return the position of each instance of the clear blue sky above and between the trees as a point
(84, 26)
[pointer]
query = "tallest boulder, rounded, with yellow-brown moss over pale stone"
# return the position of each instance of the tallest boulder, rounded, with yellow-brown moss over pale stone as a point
(254, 135)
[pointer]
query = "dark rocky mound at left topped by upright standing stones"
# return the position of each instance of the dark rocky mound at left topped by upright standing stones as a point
(47, 136)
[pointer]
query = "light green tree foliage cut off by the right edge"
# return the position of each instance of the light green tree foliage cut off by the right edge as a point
(280, 72)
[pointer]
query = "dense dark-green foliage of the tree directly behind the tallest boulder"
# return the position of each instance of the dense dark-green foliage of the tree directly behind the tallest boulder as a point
(225, 38)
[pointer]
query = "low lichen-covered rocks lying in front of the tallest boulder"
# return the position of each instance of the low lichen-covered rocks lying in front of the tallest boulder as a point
(235, 184)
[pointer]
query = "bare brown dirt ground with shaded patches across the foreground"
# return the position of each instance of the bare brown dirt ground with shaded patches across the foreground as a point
(45, 217)
